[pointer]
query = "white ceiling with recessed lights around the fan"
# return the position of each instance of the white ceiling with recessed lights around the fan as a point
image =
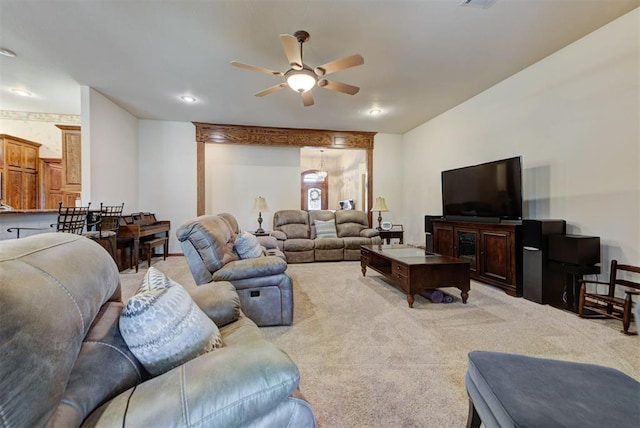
(421, 57)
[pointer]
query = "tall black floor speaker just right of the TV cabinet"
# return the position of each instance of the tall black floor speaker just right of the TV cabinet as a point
(539, 283)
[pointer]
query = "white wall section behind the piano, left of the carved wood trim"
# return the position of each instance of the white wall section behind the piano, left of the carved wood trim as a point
(167, 173)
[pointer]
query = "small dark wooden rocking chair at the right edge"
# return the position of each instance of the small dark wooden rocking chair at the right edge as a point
(609, 304)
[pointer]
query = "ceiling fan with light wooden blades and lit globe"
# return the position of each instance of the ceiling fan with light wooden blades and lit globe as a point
(301, 77)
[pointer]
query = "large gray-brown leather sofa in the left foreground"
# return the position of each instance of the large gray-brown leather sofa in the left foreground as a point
(63, 361)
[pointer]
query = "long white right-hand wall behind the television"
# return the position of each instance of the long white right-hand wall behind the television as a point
(574, 119)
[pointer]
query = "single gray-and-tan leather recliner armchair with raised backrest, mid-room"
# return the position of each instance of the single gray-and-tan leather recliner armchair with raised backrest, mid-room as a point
(264, 287)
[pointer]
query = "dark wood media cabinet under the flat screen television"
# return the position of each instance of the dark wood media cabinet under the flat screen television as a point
(494, 251)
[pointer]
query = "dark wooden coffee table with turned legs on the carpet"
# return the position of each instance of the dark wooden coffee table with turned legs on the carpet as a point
(413, 270)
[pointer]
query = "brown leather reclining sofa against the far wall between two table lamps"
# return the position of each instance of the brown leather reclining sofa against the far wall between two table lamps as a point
(298, 238)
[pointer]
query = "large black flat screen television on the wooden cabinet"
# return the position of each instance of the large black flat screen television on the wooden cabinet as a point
(491, 190)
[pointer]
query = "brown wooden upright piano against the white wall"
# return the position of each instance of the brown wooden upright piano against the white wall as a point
(142, 225)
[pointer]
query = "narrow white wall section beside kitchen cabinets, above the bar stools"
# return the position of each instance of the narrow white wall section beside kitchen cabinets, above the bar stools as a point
(109, 153)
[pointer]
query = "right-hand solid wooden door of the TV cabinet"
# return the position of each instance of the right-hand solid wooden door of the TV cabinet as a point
(496, 249)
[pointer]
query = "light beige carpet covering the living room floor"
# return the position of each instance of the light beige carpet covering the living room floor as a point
(367, 360)
